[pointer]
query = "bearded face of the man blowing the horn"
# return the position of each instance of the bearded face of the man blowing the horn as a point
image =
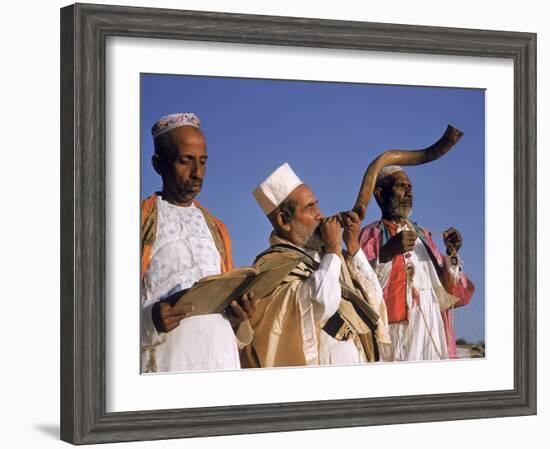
(307, 219)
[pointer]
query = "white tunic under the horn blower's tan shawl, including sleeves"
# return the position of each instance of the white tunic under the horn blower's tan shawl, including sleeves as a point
(319, 298)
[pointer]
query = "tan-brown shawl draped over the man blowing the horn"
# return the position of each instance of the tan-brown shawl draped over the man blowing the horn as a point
(277, 323)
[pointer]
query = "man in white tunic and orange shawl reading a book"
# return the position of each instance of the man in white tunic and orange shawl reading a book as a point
(181, 243)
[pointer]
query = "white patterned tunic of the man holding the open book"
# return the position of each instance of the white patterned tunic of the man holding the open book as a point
(183, 253)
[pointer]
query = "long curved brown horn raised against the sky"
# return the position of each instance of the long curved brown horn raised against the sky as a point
(403, 157)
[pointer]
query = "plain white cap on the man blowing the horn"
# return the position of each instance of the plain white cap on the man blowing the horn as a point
(273, 191)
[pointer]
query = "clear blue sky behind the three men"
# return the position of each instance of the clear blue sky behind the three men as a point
(329, 133)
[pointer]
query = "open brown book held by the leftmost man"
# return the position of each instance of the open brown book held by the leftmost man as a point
(213, 294)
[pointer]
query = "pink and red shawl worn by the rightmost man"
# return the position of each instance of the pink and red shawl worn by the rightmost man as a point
(374, 236)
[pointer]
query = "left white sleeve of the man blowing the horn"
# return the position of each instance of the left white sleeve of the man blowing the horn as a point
(321, 290)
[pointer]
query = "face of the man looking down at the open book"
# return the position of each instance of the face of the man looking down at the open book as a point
(183, 175)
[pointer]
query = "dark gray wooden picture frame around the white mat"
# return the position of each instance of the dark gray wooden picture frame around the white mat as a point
(84, 29)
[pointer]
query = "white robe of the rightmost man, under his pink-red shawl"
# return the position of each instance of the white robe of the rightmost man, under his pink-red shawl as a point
(423, 336)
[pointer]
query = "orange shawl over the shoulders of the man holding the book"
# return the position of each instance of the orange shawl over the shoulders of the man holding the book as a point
(149, 216)
